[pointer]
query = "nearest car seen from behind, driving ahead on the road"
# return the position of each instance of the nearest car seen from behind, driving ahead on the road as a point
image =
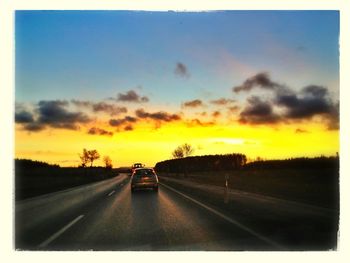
(144, 178)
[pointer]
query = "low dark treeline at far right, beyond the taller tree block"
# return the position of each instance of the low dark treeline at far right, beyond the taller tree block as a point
(296, 163)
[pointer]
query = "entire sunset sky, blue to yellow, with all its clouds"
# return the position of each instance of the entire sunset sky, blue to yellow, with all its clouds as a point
(134, 85)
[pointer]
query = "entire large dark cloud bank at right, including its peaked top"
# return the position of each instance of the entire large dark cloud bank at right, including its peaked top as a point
(310, 101)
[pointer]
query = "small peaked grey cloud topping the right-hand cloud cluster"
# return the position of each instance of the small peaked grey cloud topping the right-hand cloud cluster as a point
(261, 80)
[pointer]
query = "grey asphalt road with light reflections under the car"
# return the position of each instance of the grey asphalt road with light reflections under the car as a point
(115, 219)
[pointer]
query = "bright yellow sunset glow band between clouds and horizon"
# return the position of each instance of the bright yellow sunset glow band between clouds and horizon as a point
(149, 144)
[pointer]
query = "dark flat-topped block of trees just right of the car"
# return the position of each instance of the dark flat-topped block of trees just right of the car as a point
(202, 163)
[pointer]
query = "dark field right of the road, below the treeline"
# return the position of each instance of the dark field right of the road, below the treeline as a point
(314, 186)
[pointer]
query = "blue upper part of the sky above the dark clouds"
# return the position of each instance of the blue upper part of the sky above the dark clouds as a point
(94, 55)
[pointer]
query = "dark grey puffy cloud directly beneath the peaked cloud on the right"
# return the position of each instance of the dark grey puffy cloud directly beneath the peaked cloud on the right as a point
(258, 112)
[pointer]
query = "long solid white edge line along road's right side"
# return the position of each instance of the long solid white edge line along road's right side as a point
(232, 221)
